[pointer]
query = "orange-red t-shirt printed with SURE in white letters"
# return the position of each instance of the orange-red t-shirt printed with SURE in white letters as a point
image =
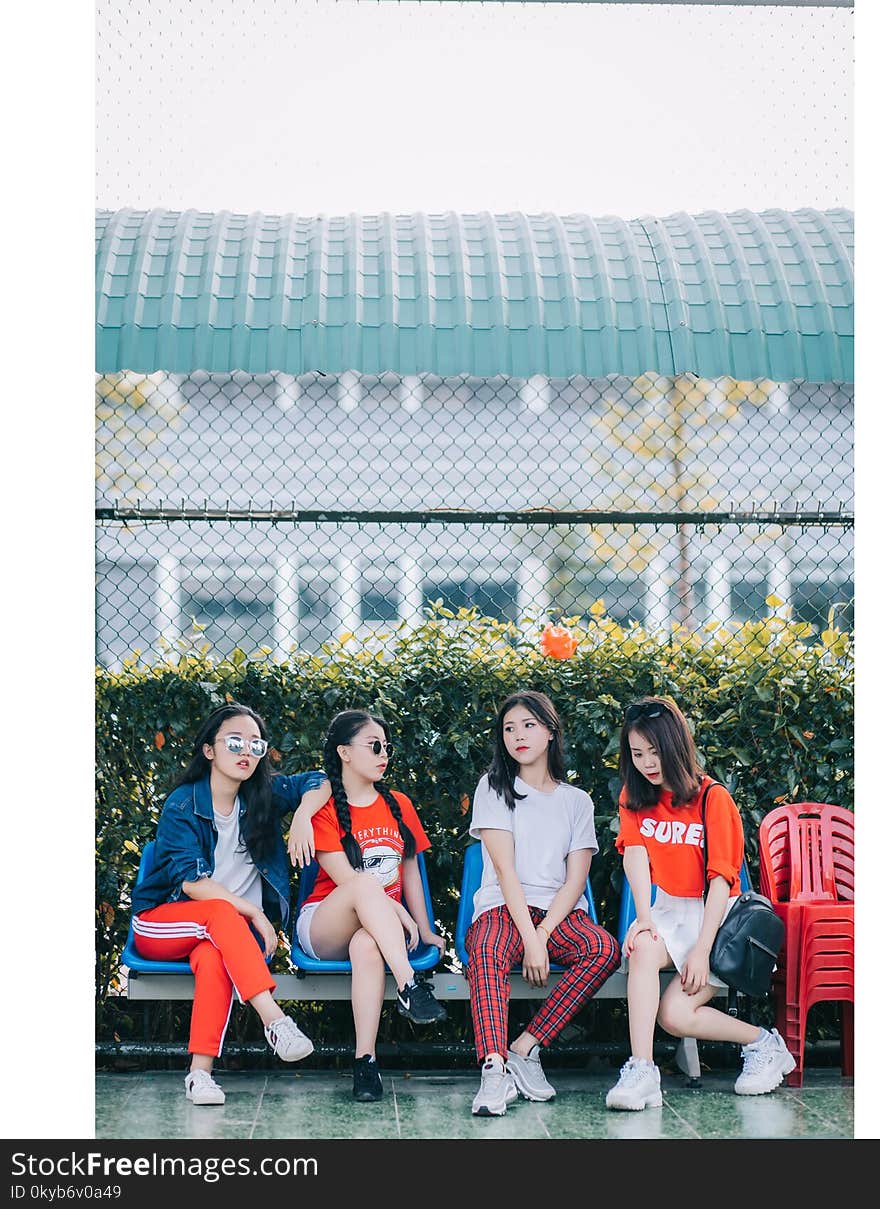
(674, 840)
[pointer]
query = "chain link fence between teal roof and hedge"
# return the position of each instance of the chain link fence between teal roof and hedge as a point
(275, 513)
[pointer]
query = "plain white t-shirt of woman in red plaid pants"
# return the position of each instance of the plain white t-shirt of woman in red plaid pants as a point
(546, 829)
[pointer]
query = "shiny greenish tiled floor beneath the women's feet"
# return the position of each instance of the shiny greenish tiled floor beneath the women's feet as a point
(437, 1104)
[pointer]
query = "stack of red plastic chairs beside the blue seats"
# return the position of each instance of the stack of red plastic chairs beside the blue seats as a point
(807, 863)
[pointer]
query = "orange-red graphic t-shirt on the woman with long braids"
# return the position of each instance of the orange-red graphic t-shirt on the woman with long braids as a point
(377, 831)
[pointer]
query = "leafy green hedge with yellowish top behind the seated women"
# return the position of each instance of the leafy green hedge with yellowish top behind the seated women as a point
(773, 714)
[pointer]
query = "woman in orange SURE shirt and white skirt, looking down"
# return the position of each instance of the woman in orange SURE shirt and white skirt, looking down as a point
(662, 841)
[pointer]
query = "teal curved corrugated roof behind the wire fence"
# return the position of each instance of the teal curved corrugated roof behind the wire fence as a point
(746, 294)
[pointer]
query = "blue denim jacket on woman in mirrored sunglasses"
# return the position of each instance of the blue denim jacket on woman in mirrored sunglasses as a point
(187, 836)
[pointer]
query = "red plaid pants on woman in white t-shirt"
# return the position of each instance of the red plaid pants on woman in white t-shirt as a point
(588, 953)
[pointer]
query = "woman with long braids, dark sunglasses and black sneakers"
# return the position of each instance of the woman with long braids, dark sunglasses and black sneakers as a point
(367, 840)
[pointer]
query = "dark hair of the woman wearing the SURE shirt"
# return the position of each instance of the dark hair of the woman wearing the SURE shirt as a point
(661, 721)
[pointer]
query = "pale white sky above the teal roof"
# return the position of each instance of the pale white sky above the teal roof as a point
(352, 106)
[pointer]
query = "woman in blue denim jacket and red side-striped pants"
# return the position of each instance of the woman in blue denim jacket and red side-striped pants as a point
(221, 871)
